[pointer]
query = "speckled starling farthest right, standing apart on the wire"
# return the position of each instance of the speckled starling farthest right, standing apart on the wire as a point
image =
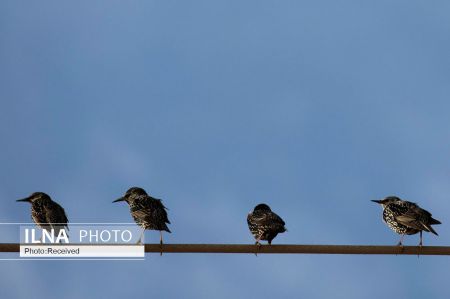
(406, 218)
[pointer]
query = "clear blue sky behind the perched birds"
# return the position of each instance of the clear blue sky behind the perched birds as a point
(313, 107)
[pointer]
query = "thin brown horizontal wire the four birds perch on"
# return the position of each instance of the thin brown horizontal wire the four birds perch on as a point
(277, 249)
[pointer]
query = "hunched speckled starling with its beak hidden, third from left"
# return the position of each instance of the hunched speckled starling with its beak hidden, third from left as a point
(264, 224)
